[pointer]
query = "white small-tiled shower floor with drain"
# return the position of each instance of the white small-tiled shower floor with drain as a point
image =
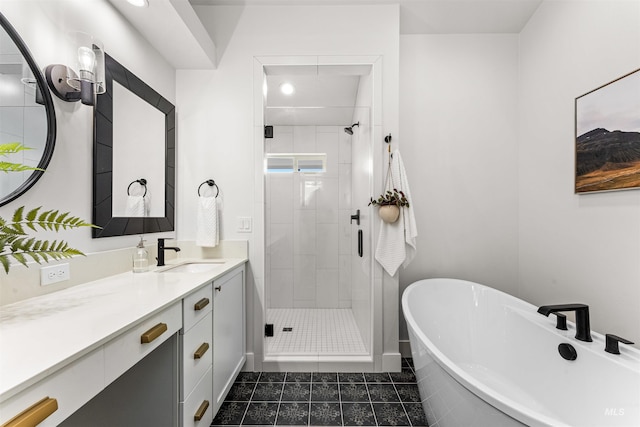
(313, 331)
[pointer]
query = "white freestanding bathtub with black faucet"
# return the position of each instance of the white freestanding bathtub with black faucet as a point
(485, 358)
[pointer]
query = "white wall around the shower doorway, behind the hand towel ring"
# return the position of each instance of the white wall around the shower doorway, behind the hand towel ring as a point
(216, 120)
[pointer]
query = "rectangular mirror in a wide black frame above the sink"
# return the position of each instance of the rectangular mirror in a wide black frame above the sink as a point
(103, 157)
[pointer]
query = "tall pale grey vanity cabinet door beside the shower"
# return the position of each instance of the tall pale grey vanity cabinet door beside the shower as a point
(229, 333)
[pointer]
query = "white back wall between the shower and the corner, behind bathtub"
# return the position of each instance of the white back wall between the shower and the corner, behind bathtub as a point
(458, 121)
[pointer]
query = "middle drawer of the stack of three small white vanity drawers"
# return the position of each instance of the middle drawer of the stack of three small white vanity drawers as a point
(198, 339)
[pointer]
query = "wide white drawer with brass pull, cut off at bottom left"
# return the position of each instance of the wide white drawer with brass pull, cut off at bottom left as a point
(71, 387)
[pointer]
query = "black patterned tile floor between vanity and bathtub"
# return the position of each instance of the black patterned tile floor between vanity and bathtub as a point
(323, 399)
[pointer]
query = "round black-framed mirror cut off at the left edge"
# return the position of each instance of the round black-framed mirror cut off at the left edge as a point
(27, 117)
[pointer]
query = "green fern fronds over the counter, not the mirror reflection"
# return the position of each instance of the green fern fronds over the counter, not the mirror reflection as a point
(17, 244)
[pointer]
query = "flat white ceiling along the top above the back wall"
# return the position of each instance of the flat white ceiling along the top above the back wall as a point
(431, 16)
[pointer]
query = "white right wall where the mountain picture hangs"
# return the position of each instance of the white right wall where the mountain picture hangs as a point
(575, 248)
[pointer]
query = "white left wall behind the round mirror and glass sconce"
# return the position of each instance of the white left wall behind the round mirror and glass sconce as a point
(44, 26)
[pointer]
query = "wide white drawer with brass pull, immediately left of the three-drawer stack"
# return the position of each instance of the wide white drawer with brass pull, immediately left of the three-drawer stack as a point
(126, 350)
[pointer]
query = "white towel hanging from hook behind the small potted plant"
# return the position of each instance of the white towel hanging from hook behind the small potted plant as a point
(397, 241)
